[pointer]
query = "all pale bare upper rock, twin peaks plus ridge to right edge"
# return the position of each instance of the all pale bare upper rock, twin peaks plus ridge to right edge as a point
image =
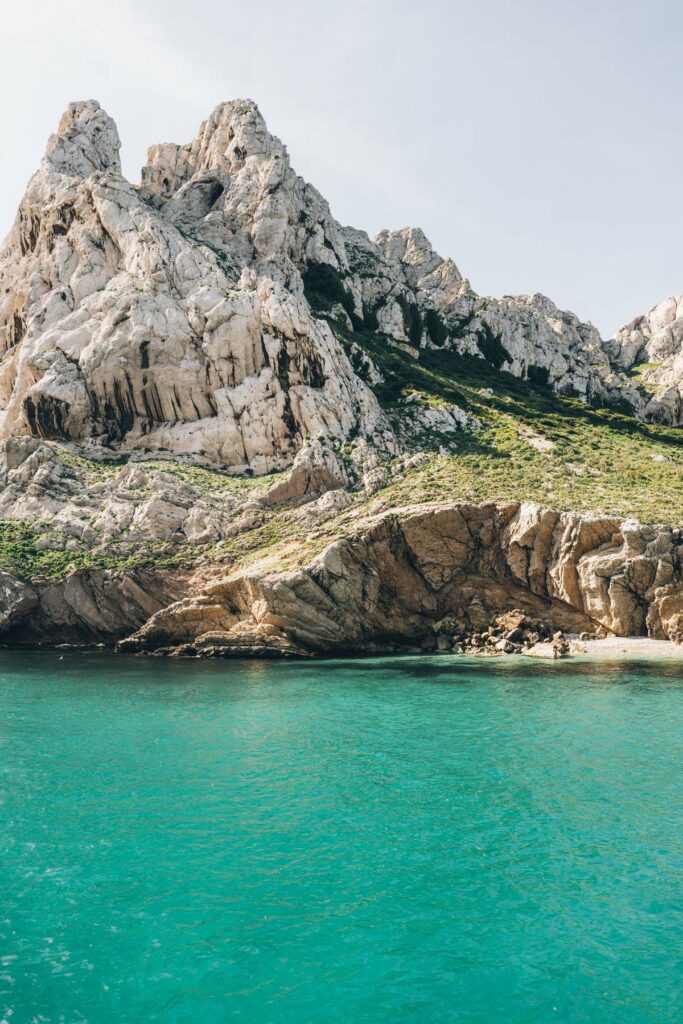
(190, 315)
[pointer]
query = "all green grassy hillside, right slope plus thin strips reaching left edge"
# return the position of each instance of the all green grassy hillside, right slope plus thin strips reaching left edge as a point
(529, 444)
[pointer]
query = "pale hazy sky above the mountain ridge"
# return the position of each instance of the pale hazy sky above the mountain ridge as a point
(538, 143)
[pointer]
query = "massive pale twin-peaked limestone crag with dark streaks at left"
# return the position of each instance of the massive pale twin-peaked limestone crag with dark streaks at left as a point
(182, 329)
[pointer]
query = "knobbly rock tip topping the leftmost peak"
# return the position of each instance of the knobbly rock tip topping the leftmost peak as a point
(87, 141)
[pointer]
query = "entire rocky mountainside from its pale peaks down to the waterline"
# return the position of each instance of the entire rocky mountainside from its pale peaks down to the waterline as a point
(231, 425)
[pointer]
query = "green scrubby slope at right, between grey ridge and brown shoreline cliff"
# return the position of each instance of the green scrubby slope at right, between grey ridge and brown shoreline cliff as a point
(535, 445)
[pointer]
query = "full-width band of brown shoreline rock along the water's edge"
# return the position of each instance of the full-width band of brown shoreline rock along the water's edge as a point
(495, 578)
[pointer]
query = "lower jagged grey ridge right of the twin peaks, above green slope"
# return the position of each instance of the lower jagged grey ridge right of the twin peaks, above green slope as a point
(416, 297)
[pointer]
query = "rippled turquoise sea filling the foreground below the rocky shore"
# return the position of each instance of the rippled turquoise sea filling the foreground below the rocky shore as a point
(395, 840)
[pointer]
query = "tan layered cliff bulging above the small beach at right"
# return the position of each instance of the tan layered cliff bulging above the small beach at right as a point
(388, 584)
